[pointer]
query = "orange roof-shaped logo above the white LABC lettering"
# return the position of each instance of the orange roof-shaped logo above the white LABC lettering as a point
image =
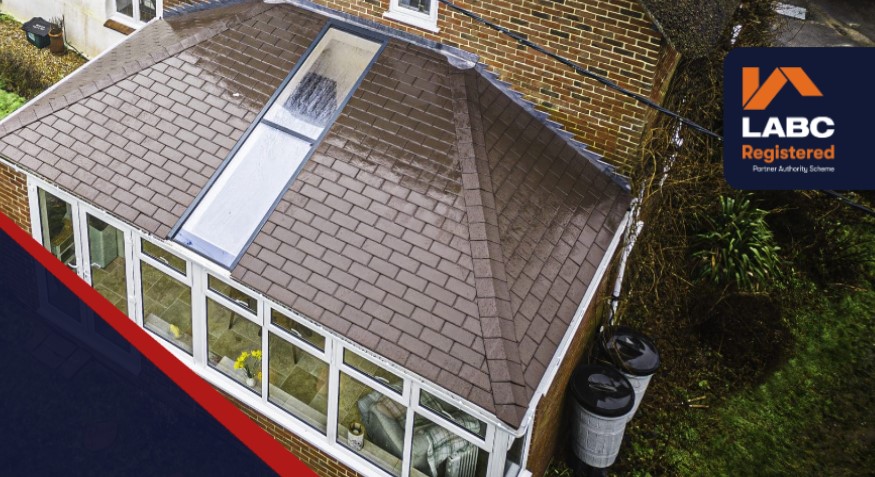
(757, 98)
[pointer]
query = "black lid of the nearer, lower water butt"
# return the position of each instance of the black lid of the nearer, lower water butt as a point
(602, 390)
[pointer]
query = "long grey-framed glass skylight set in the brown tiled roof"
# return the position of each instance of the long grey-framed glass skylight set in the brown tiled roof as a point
(232, 208)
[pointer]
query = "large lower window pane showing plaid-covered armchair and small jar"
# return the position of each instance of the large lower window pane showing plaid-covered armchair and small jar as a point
(371, 424)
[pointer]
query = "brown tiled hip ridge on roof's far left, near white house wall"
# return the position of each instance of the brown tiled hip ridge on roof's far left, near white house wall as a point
(49, 104)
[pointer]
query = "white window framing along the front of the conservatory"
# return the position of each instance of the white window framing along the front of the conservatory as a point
(498, 436)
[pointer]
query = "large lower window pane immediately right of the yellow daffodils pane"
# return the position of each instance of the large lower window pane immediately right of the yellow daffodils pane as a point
(298, 382)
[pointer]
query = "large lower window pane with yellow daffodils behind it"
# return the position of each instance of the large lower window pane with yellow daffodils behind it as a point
(234, 345)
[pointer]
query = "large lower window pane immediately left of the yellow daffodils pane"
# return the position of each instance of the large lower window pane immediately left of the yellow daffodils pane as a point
(166, 306)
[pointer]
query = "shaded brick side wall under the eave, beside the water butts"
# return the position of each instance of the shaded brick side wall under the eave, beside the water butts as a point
(551, 424)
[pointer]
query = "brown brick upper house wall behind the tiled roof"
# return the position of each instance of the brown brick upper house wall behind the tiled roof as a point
(614, 38)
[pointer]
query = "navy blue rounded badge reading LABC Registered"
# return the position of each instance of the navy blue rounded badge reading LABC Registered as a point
(799, 118)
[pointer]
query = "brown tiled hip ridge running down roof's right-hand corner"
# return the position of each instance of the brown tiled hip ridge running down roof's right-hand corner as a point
(490, 280)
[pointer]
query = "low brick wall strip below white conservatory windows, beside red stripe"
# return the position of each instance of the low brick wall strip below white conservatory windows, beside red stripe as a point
(321, 463)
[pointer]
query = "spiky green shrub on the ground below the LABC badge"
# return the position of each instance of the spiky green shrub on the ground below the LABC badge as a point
(736, 249)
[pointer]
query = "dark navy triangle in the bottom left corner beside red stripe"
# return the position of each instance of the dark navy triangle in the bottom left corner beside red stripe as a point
(77, 399)
